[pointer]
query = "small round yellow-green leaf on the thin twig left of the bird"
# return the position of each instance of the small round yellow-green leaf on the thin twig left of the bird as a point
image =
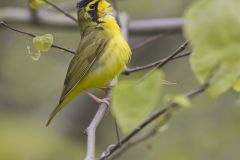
(43, 43)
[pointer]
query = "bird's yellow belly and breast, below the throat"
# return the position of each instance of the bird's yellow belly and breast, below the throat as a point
(109, 65)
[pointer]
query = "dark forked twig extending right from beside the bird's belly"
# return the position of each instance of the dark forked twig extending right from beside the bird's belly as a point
(160, 63)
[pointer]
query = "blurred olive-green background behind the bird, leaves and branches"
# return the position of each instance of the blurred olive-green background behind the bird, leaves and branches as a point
(30, 90)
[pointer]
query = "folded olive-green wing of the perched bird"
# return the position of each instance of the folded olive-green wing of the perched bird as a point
(90, 49)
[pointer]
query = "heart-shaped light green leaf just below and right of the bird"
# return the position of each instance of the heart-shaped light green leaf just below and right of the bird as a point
(134, 101)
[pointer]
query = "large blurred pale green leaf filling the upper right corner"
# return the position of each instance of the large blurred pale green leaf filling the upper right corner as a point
(213, 30)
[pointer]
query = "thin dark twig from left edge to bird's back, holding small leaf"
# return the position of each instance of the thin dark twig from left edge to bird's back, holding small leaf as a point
(33, 35)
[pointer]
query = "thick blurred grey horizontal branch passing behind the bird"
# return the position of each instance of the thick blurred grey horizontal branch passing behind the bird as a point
(22, 16)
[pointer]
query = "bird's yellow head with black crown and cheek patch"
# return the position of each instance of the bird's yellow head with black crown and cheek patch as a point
(93, 10)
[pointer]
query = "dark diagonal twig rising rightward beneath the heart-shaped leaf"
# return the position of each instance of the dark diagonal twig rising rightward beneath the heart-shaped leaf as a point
(149, 120)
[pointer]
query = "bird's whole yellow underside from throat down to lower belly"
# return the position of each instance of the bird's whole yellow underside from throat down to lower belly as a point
(113, 60)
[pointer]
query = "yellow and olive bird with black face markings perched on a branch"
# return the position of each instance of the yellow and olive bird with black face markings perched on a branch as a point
(102, 54)
